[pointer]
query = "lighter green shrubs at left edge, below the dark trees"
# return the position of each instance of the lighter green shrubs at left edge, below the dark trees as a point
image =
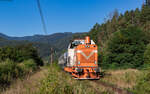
(9, 71)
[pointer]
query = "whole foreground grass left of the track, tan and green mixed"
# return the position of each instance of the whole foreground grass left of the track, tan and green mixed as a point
(52, 80)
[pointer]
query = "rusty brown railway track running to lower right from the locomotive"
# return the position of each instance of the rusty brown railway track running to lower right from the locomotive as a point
(114, 88)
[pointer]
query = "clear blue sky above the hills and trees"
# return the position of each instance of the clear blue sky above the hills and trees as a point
(22, 18)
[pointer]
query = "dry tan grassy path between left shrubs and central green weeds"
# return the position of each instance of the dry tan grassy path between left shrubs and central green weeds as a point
(29, 85)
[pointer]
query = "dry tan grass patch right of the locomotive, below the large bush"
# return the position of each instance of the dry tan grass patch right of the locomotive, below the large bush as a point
(122, 78)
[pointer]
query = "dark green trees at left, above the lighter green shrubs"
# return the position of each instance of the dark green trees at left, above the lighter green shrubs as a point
(20, 53)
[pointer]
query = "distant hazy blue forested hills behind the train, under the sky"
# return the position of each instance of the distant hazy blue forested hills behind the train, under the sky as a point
(58, 41)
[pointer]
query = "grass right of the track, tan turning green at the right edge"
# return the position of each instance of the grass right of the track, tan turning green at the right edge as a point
(136, 81)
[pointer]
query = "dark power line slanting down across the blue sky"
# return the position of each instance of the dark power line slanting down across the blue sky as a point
(42, 17)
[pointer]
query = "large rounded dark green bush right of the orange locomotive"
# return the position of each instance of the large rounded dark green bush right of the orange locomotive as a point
(125, 49)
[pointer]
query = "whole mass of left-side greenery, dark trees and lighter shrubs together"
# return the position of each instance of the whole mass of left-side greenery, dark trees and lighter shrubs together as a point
(16, 62)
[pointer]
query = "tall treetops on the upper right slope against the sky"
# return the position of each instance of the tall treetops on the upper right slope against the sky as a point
(139, 18)
